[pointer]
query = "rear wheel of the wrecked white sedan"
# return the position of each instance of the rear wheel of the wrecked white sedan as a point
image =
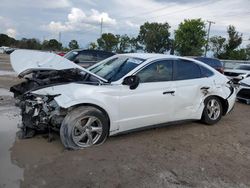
(212, 111)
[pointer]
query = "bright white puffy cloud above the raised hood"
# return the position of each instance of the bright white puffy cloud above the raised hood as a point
(79, 20)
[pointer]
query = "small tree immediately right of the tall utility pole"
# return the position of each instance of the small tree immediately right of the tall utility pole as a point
(217, 44)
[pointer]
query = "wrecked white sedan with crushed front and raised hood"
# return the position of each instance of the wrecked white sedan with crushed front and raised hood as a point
(122, 93)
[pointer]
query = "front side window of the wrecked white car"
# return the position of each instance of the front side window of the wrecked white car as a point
(157, 72)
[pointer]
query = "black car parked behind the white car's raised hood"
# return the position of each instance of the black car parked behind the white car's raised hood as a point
(86, 58)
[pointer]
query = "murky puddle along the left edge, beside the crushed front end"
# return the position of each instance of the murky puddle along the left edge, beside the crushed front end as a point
(10, 174)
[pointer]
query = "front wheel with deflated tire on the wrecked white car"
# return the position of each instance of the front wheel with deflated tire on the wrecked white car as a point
(83, 127)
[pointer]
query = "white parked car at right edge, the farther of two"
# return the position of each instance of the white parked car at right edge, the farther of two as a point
(240, 72)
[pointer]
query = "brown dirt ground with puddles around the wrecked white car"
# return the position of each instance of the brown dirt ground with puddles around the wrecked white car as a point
(182, 155)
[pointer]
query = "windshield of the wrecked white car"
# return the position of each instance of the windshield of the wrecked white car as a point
(115, 68)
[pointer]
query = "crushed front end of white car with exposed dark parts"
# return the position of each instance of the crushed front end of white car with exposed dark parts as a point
(40, 114)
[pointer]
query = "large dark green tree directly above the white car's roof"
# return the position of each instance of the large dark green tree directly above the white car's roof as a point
(154, 37)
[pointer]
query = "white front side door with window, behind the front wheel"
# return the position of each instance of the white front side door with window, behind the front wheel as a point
(152, 102)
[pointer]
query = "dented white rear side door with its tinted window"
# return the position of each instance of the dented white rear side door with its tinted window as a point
(191, 86)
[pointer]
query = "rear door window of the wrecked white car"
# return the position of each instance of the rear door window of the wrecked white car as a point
(185, 70)
